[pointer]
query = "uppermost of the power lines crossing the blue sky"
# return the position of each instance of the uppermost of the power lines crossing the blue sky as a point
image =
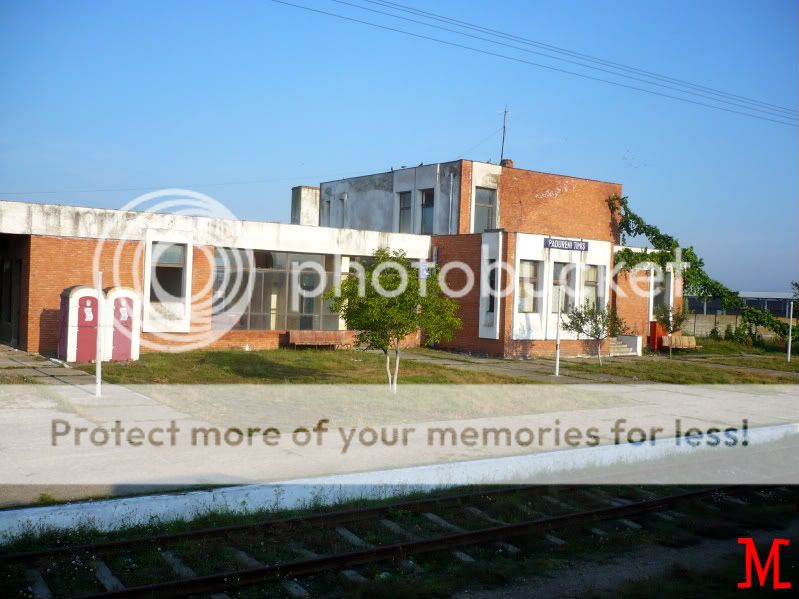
(433, 16)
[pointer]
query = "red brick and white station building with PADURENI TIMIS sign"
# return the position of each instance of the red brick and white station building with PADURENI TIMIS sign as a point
(482, 215)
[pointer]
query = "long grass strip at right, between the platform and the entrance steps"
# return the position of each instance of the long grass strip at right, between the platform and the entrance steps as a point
(662, 370)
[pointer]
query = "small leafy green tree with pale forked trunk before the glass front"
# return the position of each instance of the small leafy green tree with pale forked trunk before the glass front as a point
(384, 314)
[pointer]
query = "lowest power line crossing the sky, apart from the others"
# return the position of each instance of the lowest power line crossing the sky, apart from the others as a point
(528, 62)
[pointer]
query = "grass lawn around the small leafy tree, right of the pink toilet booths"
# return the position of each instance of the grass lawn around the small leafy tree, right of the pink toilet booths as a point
(306, 366)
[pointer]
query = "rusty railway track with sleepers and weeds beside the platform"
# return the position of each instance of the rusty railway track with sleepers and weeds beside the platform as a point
(287, 553)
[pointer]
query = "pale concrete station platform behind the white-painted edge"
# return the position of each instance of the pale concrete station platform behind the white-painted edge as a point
(34, 464)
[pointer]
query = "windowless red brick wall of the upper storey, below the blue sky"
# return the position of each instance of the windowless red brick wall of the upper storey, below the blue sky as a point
(556, 205)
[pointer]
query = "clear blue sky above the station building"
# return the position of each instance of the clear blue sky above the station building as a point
(255, 97)
